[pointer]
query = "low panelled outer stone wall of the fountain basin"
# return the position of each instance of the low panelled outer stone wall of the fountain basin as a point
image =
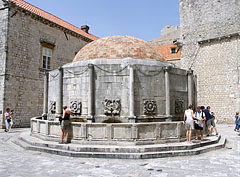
(111, 133)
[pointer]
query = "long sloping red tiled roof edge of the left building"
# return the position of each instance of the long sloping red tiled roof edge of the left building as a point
(29, 7)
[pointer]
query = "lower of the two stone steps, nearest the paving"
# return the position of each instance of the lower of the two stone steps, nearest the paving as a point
(142, 155)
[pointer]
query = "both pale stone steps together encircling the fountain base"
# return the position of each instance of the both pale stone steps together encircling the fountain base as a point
(134, 152)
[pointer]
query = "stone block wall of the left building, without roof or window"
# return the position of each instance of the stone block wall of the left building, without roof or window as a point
(24, 75)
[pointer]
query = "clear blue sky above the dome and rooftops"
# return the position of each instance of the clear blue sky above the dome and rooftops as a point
(140, 18)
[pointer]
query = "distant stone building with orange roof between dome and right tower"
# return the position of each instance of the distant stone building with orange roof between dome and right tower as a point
(166, 44)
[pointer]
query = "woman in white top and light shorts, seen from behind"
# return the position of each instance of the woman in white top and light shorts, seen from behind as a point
(189, 123)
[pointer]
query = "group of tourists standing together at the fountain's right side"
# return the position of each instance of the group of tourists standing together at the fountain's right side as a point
(201, 119)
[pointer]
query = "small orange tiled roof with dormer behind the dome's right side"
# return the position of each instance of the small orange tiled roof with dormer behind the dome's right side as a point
(165, 51)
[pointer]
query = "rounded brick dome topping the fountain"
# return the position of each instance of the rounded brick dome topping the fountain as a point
(118, 47)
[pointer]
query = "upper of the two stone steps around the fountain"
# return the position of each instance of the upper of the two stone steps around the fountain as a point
(118, 149)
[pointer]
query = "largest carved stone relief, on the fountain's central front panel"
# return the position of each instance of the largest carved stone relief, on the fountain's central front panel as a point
(112, 107)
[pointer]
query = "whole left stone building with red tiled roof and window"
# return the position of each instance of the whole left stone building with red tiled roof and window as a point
(32, 42)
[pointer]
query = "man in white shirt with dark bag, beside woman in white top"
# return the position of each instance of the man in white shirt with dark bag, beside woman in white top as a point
(198, 125)
